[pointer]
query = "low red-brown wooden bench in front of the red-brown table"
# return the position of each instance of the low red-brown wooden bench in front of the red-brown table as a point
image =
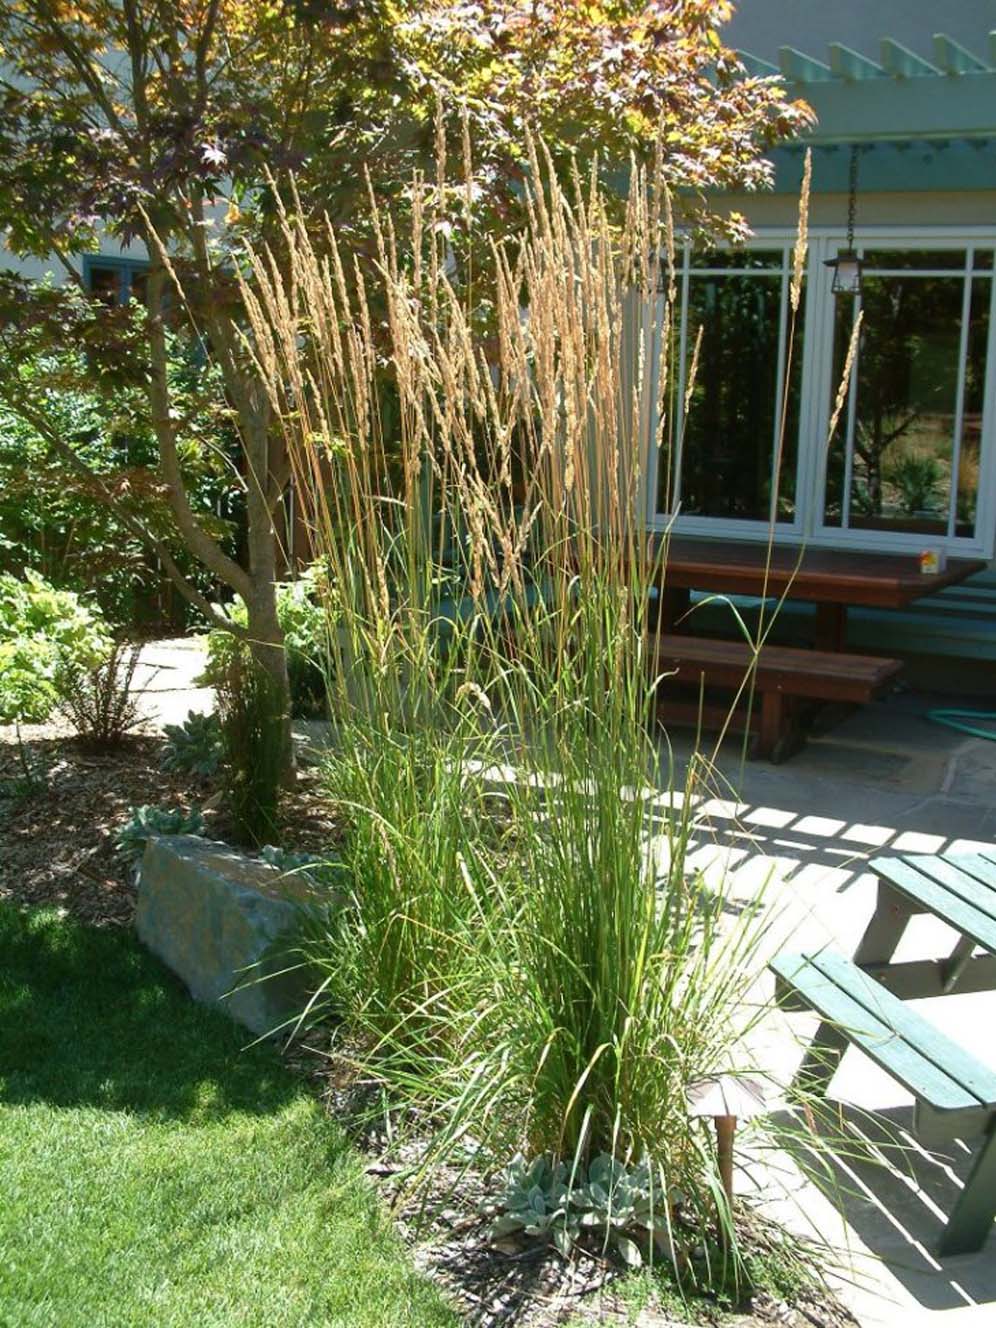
(783, 679)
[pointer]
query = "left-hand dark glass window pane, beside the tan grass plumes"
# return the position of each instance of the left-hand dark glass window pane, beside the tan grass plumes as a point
(734, 427)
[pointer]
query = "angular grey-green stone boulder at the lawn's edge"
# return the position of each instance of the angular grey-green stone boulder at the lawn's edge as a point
(226, 925)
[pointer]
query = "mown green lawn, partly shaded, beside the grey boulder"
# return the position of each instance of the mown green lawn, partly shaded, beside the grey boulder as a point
(153, 1173)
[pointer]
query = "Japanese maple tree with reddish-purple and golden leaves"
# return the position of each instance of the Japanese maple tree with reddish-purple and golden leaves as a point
(173, 125)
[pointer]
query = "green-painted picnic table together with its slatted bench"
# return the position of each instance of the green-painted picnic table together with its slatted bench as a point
(861, 1002)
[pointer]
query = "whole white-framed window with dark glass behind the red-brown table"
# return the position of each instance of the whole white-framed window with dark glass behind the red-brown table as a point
(912, 457)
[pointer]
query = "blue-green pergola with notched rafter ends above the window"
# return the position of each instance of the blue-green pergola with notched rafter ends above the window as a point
(930, 119)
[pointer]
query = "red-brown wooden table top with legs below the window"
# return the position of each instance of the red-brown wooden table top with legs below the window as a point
(831, 578)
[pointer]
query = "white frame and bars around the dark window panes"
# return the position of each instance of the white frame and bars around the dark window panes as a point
(817, 392)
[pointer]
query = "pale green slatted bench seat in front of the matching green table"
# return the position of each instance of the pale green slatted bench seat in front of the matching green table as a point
(955, 1094)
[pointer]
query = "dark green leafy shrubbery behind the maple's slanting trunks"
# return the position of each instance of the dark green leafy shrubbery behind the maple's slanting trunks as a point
(55, 520)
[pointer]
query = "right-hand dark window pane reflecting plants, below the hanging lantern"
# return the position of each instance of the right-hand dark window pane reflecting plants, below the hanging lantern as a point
(906, 452)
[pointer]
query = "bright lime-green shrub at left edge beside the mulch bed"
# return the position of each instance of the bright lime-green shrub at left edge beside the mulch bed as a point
(43, 630)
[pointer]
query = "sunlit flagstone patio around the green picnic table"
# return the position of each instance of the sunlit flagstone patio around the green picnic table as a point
(885, 782)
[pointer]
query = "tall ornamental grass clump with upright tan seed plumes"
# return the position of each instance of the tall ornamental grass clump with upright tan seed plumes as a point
(528, 957)
